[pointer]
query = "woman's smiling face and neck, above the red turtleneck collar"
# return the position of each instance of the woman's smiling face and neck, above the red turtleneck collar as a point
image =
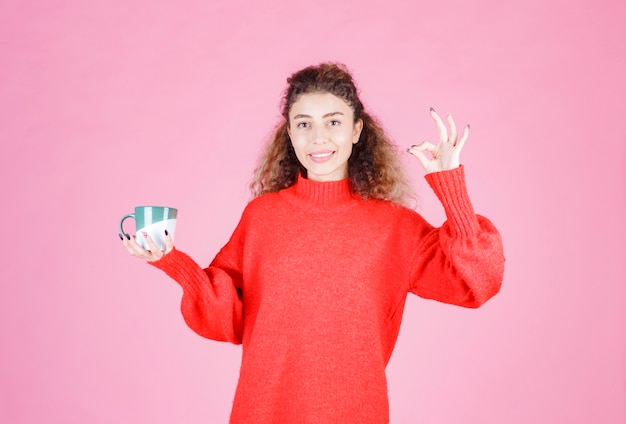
(322, 132)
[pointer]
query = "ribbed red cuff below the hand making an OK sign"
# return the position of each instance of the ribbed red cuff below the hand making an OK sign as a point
(450, 188)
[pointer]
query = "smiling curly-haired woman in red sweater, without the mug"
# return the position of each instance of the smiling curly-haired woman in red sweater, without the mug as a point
(314, 279)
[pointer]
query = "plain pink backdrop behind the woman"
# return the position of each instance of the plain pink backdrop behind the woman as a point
(106, 105)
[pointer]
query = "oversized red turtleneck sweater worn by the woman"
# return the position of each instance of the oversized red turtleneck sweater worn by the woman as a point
(313, 283)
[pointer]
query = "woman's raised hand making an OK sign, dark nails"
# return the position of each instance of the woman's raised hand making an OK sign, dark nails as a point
(444, 155)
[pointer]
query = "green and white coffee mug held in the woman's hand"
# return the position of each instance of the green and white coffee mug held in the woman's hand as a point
(153, 220)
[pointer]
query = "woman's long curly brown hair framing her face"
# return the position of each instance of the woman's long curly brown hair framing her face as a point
(373, 167)
